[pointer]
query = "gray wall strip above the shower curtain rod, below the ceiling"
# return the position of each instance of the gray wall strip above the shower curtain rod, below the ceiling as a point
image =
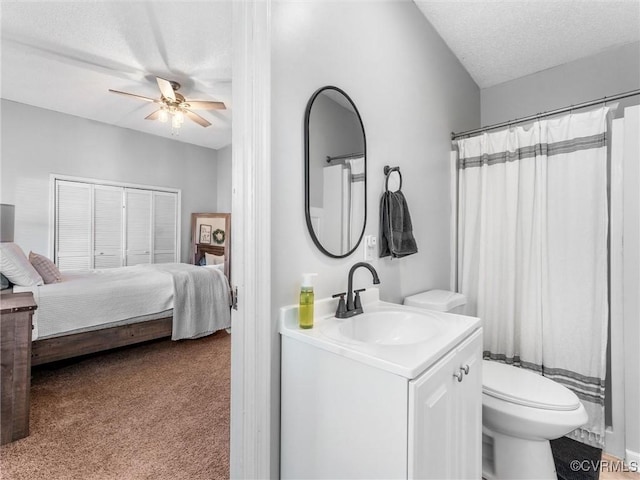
(614, 71)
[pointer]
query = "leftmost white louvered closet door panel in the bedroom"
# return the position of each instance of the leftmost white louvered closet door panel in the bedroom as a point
(73, 225)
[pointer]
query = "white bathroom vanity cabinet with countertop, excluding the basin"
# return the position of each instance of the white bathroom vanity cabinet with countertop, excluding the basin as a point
(347, 411)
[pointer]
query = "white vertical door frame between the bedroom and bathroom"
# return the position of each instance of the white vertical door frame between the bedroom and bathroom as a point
(251, 339)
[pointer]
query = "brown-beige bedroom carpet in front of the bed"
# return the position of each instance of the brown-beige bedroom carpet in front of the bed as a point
(155, 411)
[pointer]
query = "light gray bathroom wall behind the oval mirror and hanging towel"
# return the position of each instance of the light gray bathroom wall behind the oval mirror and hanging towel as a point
(411, 92)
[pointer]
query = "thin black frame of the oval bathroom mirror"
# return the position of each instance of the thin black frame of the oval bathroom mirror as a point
(307, 171)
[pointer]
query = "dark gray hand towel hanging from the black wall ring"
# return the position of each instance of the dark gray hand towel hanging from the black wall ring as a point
(396, 239)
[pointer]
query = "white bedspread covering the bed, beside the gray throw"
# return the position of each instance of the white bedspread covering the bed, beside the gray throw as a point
(88, 299)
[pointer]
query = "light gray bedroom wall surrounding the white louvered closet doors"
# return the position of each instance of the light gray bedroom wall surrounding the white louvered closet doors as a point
(38, 142)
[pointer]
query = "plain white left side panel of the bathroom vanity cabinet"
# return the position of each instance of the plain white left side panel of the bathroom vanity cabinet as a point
(339, 418)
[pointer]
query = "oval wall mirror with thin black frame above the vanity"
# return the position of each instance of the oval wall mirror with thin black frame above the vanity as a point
(335, 172)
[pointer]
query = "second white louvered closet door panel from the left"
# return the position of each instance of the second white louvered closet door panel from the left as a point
(108, 216)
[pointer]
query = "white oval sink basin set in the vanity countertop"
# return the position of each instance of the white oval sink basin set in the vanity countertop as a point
(389, 328)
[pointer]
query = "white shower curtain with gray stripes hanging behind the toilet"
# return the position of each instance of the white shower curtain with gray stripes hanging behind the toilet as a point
(532, 250)
